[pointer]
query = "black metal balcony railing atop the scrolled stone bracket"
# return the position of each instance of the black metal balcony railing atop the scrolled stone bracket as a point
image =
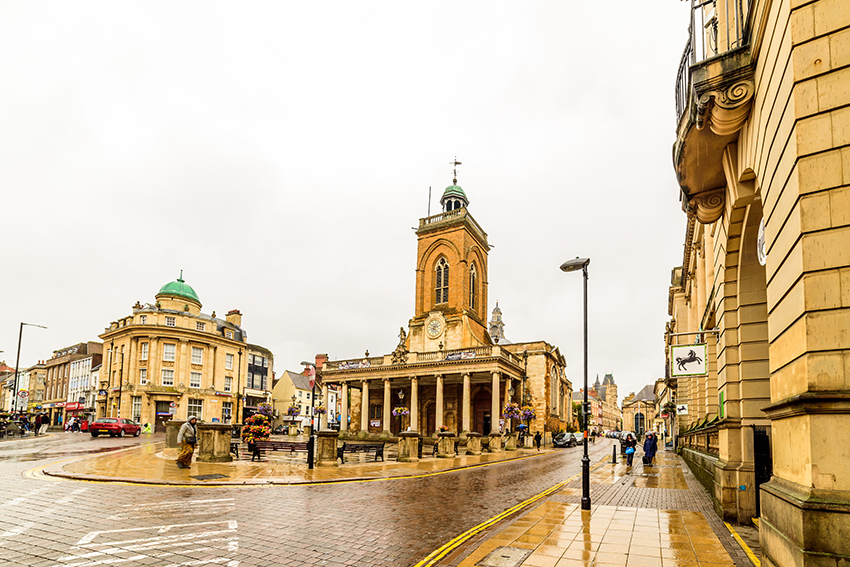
(716, 27)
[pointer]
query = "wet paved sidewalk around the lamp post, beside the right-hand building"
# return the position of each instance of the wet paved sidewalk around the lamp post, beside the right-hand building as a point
(656, 516)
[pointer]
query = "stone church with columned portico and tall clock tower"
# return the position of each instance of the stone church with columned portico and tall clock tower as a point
(450, 368)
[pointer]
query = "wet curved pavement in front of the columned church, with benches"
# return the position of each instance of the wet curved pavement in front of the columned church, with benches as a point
(152, 463)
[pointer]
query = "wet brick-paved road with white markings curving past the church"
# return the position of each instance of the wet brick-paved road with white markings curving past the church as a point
(46, 521)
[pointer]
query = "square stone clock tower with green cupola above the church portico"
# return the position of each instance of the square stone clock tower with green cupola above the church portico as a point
(451, 278)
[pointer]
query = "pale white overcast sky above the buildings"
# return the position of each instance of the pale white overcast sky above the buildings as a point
(279, 154)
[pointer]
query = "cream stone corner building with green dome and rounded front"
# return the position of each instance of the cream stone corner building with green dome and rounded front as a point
(170, 359)
